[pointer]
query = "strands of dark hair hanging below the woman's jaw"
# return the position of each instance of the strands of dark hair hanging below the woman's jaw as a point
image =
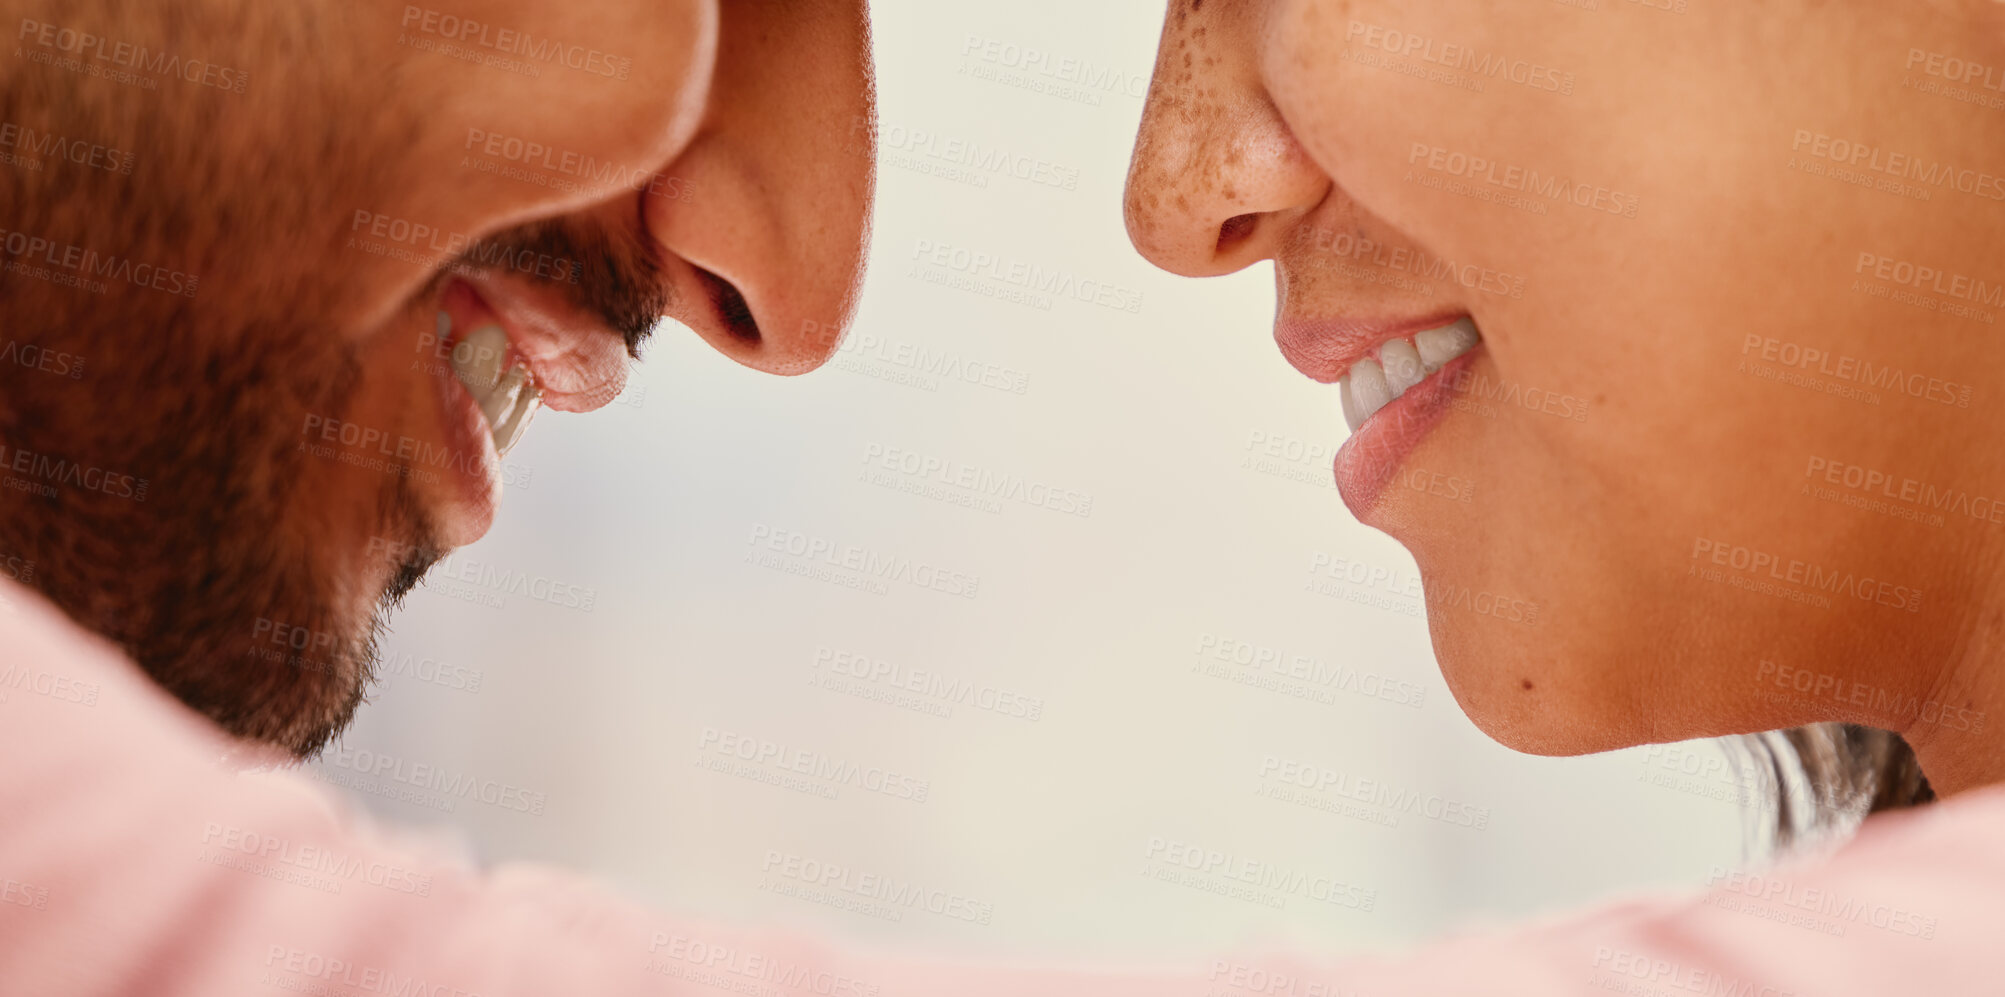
(1830, 777)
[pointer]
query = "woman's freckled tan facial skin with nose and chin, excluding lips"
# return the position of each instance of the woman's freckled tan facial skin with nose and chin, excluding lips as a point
(1280, 129)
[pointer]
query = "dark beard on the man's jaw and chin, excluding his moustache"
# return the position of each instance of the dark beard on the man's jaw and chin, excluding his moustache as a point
(187, 573)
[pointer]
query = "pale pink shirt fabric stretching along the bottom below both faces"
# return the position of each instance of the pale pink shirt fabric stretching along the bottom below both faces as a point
(135, 860)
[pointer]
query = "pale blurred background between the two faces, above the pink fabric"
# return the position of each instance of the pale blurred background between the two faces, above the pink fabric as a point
(1036, 605)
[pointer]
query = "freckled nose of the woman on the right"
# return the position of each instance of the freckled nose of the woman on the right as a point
(1218, 180)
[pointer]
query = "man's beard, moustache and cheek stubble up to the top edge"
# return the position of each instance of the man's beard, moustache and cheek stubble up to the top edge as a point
(236, 579)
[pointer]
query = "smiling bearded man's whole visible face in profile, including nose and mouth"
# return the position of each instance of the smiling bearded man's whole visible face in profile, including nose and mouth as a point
(374, 242)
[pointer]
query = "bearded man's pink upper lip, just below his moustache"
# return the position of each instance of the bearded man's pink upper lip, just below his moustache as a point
(576, 360)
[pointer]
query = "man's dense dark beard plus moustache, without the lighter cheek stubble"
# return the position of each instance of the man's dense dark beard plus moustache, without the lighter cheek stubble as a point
(218, 581)
